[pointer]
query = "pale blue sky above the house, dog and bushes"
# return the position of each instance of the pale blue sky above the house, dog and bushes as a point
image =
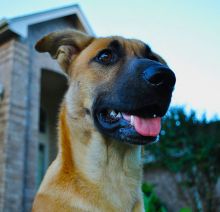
(185, 33)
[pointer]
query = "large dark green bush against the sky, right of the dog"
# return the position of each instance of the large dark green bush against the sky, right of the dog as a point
(191, 147)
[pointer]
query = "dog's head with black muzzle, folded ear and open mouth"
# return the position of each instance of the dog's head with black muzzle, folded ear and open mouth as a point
(118, 84)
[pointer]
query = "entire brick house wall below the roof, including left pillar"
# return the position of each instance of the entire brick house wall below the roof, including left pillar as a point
(20, 72)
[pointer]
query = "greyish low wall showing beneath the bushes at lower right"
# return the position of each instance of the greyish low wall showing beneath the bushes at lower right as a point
(168, 188)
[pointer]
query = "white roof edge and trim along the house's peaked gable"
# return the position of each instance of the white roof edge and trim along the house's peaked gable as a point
(19, 25)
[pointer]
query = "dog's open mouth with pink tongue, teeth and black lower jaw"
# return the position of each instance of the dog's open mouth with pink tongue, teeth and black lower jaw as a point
(130, 127)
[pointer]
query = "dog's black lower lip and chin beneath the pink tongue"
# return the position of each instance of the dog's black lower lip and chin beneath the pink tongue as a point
(118, 127)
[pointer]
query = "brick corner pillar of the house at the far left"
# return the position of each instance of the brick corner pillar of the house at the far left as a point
(13, 111)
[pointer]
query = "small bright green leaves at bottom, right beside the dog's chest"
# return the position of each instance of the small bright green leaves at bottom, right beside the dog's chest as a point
(152, 202)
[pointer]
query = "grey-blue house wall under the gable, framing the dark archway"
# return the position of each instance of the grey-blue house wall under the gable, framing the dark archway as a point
(38, 63)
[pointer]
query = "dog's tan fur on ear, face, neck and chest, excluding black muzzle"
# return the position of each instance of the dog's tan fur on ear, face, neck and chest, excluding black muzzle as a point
(90, 172)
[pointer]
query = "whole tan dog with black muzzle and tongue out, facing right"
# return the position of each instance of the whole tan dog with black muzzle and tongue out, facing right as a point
(118, 92)
